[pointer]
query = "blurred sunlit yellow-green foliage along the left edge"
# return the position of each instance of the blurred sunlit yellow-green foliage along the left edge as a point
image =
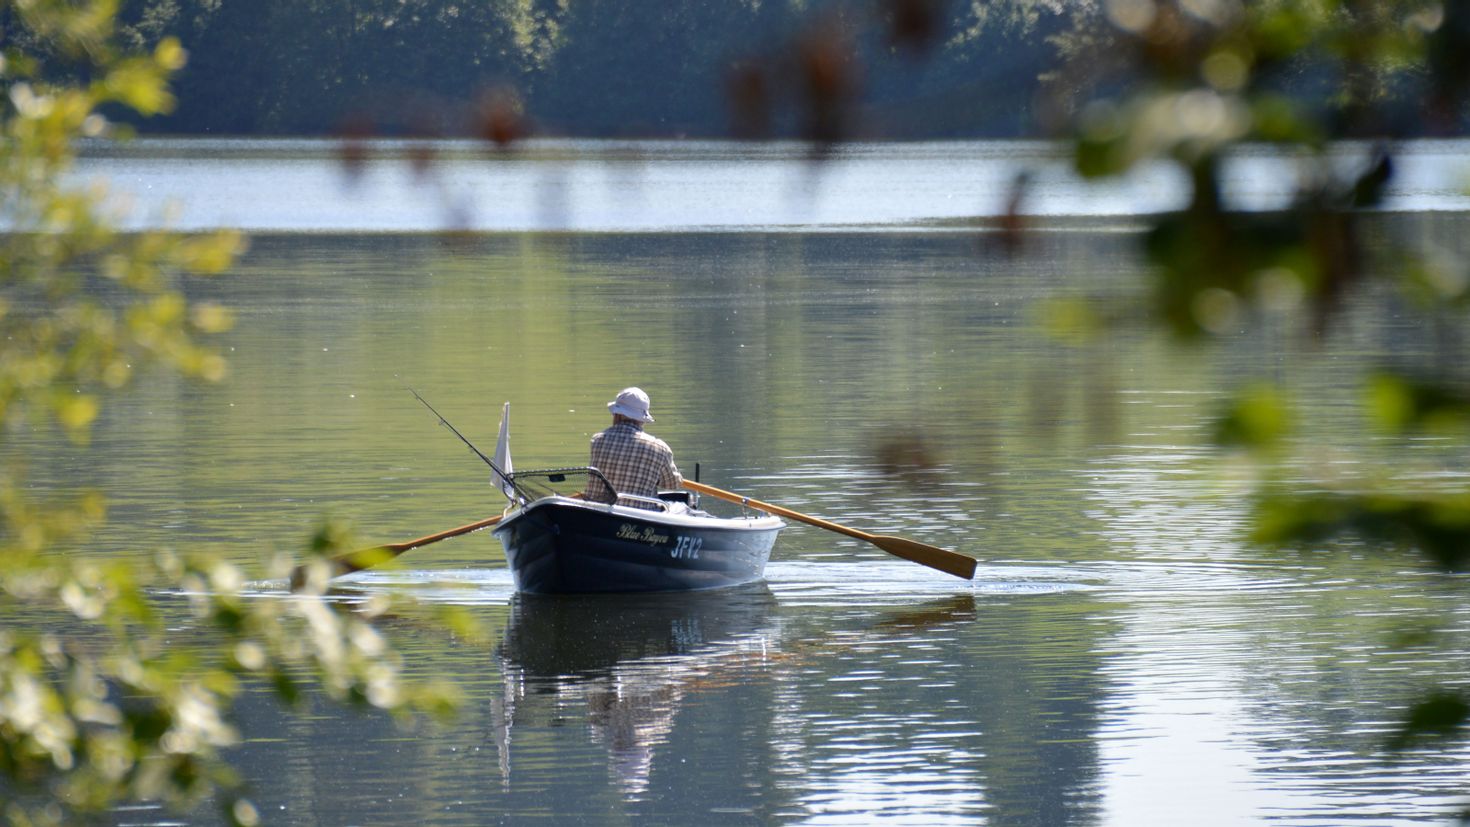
(95, 706)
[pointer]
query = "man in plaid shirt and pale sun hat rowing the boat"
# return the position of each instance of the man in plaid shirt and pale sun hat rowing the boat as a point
(633, 461)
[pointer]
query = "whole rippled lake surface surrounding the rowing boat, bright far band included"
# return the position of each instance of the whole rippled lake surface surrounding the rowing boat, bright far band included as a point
(834, 340)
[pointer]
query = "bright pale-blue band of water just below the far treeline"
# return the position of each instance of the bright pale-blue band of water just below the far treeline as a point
(681, 186)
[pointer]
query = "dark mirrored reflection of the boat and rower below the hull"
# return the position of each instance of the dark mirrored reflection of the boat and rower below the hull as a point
(625, 663)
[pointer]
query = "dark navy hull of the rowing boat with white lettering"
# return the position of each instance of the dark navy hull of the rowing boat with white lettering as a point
(565, 546)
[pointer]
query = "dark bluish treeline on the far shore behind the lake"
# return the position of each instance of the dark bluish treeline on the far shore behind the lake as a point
(605, 68)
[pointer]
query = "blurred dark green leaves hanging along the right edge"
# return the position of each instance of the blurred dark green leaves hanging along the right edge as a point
(1330, 84)
